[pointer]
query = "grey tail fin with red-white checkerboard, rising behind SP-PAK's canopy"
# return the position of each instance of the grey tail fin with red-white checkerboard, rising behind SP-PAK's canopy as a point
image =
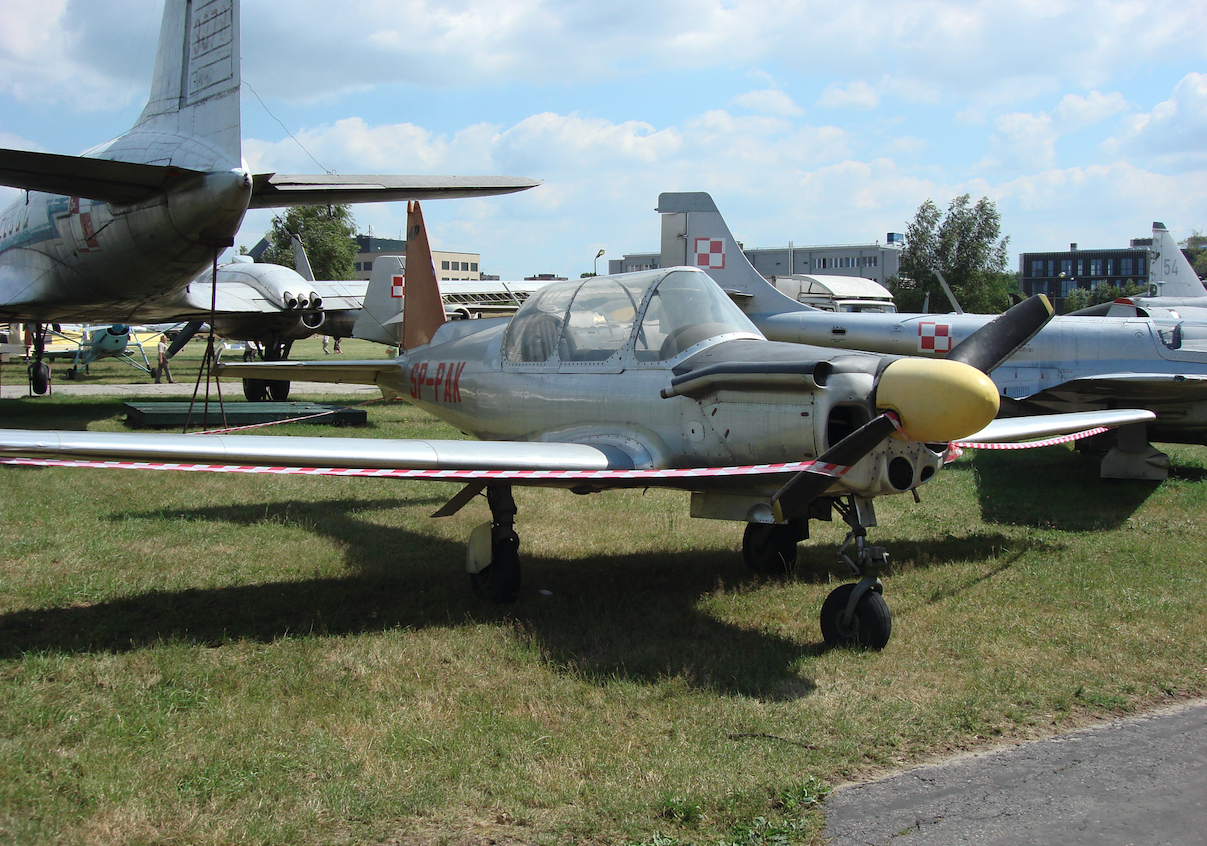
(696, 235)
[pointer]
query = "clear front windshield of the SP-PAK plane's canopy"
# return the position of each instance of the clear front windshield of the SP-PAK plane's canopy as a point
(685, 310)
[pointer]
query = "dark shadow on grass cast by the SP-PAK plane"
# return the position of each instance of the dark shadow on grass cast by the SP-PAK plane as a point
(610, 616)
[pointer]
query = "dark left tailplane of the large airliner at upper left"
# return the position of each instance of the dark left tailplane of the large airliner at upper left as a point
(96, 179)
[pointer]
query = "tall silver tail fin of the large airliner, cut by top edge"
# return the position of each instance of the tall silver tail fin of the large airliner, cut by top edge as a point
(196, 87)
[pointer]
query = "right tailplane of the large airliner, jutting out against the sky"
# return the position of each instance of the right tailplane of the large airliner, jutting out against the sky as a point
(273, 191)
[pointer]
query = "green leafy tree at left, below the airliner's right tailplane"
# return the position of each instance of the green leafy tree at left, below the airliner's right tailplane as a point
(328, 234)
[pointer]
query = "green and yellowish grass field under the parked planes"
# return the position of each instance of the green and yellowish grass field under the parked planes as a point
(194, 658)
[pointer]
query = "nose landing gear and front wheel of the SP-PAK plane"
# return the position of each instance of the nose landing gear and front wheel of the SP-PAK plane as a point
(856, 615)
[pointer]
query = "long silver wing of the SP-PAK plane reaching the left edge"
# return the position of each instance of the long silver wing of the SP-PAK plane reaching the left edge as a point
(312, 452)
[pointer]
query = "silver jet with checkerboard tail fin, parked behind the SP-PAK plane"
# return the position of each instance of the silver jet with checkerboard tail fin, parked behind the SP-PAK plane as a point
(1076, 364)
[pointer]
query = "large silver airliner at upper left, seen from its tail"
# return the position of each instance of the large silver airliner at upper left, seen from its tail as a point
(118, 235)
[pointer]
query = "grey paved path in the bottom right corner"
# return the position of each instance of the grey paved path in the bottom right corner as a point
(1140, 783)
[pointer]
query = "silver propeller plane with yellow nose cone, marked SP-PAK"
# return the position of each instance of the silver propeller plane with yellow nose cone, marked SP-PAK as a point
(644, 380)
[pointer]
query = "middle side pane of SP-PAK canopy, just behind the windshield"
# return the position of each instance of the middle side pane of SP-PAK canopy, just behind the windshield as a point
(600, 319)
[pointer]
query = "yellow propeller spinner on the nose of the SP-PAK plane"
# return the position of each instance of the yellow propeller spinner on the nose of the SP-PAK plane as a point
(937, 400)
